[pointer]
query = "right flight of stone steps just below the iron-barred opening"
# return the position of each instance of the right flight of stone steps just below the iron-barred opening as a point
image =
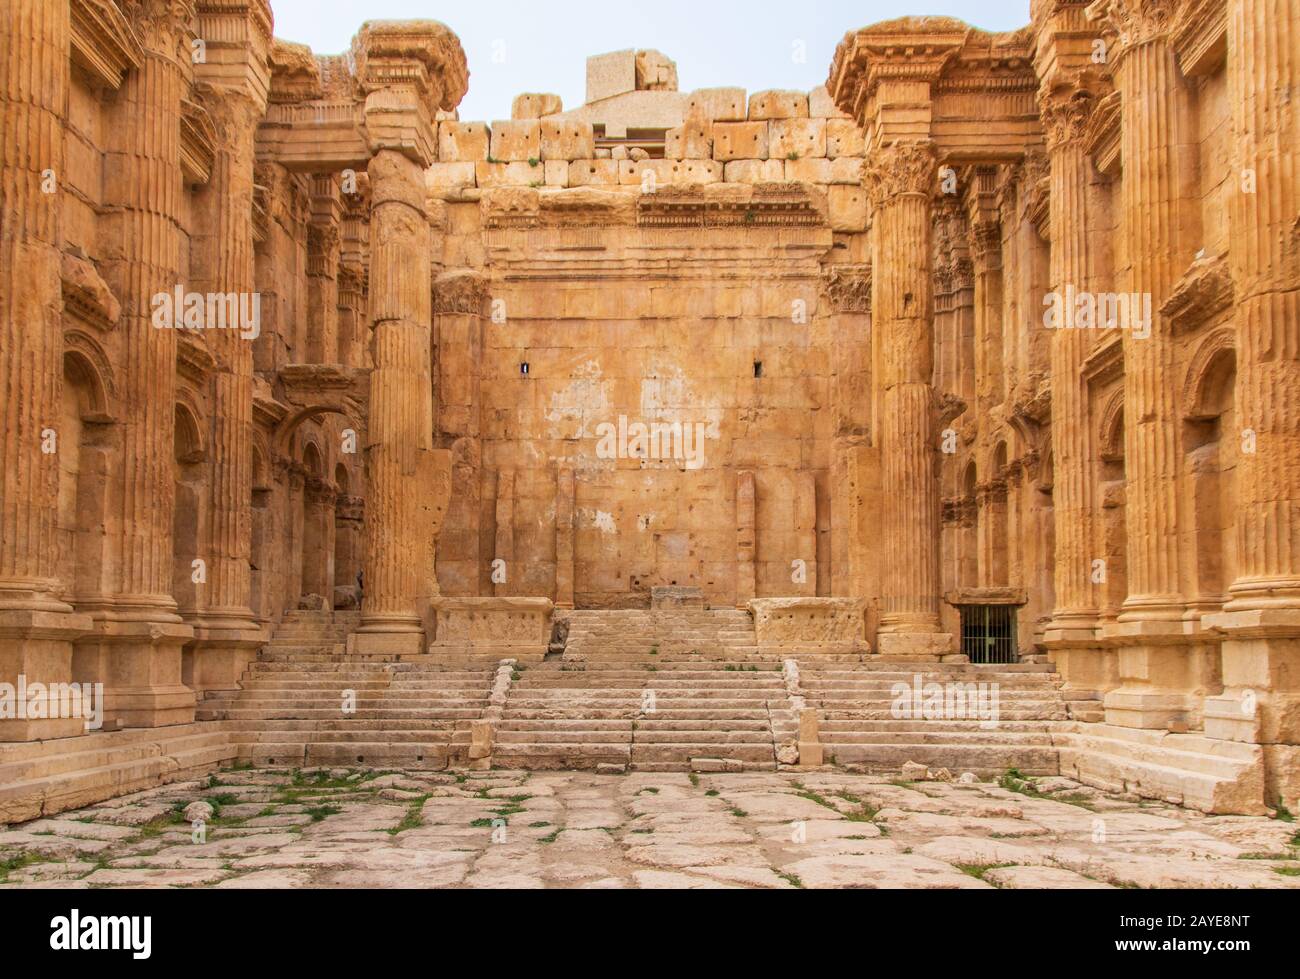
(861, 725)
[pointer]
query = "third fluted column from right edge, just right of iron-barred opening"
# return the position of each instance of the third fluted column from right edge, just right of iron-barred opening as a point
(1073, 631)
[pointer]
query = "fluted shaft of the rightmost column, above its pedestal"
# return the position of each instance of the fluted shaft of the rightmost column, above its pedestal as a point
(1264, 63)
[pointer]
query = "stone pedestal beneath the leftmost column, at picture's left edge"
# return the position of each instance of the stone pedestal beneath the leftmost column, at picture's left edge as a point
(37, 648)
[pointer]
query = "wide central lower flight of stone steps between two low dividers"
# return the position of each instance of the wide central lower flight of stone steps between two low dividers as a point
(670, 717)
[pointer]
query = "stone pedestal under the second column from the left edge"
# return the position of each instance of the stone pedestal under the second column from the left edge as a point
(140, 664)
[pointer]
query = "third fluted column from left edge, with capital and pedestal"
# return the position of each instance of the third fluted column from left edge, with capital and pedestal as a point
(233, 83)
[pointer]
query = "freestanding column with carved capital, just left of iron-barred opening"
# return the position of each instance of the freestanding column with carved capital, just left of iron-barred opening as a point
(902, 181)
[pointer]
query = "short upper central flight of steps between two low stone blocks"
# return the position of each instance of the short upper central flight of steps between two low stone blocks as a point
(661, 635)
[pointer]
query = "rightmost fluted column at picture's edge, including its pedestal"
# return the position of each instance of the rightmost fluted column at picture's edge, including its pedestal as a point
(1262, 621)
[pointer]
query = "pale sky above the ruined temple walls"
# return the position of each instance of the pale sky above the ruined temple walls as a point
(540, 46)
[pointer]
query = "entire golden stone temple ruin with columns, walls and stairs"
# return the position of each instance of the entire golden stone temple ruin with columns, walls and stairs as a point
(679, 430)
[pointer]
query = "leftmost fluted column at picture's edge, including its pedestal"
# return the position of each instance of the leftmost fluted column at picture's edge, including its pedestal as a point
(36, 626)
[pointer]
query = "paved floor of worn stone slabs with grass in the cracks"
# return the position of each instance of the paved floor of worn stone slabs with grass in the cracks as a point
(505, 830)
